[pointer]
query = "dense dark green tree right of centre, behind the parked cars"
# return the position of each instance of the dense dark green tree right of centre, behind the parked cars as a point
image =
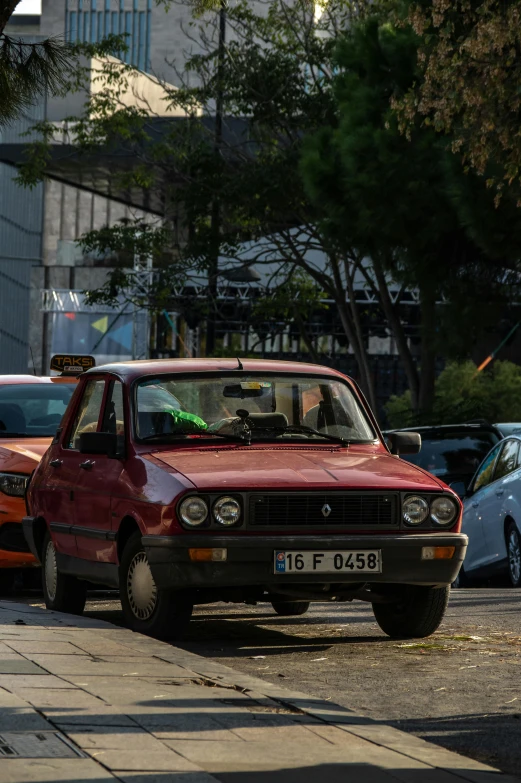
(404, 202)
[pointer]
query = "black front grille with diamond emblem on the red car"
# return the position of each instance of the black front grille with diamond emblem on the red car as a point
(303, 509)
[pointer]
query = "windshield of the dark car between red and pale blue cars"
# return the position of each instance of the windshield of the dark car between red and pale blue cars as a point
(452, 453)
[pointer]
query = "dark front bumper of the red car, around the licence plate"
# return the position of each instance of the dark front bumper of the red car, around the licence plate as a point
(250, 560)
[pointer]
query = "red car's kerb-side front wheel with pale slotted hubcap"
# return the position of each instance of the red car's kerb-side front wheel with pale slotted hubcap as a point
(148, 609)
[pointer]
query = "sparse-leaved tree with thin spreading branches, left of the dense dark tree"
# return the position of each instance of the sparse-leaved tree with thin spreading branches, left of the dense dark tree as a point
(273, 84)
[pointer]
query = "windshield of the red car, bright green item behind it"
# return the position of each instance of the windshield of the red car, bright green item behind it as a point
(261, 407)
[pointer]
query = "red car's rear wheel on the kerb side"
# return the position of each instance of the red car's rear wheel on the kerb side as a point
(62, 592)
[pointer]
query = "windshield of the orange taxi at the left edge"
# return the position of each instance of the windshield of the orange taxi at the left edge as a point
(33, 409)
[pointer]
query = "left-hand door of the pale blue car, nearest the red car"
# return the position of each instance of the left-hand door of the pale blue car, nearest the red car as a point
(475, 506)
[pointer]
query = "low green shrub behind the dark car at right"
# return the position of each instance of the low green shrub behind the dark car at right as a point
(463, 394)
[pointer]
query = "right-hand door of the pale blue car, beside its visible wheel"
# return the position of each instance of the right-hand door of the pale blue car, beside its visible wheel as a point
(506, 485)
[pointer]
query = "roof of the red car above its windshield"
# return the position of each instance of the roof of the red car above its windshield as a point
(129, 371)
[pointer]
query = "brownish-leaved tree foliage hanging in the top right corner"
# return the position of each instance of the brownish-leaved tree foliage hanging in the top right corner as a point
(470, 56)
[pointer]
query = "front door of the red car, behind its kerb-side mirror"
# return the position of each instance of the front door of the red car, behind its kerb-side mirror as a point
(98, 476)
